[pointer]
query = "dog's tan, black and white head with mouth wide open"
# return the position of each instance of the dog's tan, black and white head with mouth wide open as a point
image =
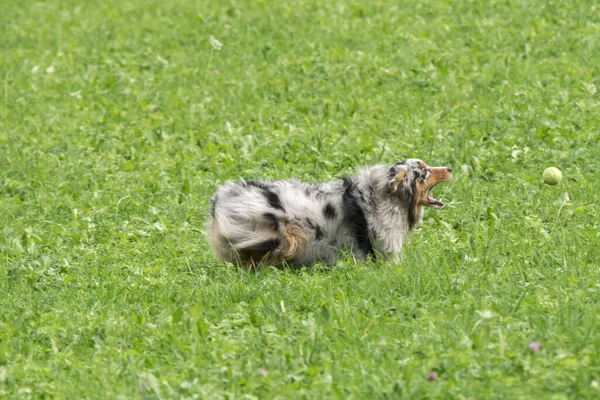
(412, 180)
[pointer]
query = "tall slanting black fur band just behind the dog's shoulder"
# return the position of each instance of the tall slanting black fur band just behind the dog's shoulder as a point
(354, 218)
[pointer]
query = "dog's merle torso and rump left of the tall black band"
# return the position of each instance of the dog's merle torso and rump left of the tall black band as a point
(278, 221)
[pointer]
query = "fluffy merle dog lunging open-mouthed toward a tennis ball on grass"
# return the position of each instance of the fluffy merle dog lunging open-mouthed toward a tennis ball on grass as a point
(299, 224)
